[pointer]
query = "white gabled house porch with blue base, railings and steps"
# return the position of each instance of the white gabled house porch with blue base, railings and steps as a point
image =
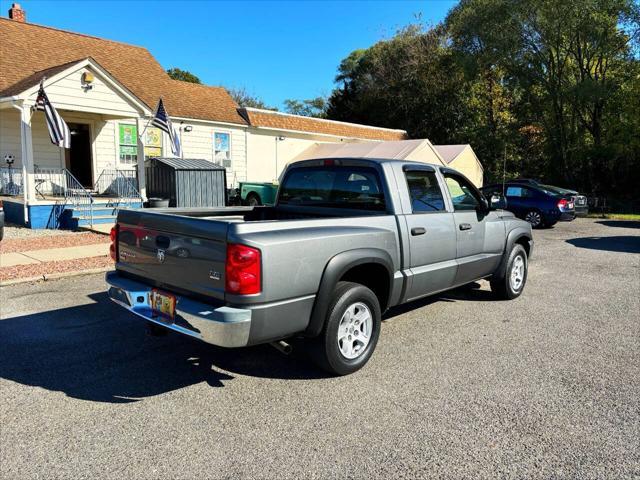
(45, 186)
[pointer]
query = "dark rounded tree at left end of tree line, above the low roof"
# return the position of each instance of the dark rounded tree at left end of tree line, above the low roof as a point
(410, 81)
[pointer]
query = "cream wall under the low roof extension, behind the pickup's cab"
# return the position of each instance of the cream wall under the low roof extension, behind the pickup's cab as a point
(267, 156)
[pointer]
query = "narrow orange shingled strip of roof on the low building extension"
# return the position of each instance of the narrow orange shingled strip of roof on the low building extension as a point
(283, 121)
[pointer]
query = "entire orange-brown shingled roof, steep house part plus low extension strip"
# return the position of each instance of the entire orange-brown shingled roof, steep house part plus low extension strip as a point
(28, 52)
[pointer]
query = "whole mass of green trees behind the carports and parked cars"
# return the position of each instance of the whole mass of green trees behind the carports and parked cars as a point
(551, 84)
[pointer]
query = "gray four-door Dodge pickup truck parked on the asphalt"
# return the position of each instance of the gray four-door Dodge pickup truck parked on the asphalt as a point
(346, 240)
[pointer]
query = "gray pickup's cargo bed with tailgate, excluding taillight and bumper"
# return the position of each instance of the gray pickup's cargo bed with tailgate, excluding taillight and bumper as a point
(185, 249)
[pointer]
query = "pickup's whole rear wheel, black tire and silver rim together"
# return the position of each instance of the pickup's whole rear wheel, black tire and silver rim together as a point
(351, 330)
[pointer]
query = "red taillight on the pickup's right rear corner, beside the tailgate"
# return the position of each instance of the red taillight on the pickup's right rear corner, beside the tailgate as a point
(242, 270)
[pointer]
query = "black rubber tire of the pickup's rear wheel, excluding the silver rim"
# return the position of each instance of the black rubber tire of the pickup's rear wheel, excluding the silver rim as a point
(325, 349)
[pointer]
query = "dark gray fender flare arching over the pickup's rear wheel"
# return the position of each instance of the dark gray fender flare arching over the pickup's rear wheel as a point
(336, 267)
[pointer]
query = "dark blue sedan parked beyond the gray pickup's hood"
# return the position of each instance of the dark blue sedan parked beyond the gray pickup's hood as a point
(539, 206)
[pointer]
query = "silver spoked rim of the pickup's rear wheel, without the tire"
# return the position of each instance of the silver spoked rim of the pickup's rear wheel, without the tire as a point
(354, 330)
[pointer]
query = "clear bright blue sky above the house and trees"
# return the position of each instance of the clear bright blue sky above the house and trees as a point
(275, 50)
